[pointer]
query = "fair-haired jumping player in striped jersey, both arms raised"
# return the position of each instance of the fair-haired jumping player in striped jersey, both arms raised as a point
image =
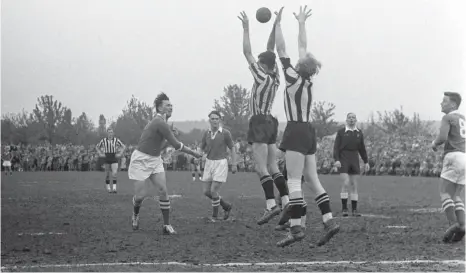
(299, 140)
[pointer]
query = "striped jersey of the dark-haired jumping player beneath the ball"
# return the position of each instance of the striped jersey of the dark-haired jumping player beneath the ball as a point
(263, 90)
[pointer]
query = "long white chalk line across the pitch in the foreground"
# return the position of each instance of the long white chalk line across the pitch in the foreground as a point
(449, 262)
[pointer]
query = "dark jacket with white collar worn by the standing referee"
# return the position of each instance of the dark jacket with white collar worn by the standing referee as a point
(348, 143)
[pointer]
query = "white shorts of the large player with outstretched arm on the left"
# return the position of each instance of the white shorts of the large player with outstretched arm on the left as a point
(143, 165)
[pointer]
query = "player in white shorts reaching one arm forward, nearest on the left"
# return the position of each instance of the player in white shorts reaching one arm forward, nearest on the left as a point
(146, 166)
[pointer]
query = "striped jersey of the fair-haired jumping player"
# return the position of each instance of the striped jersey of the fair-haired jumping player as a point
(298, 94)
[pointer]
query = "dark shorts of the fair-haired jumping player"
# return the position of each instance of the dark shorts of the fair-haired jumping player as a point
(299, 137)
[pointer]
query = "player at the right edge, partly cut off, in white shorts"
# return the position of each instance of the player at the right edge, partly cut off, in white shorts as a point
(452, 134)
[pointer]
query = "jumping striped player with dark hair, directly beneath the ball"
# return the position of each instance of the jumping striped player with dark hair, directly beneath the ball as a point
(263, 127)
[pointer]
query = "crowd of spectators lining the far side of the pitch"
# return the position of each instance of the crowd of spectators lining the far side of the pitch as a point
(388, 155)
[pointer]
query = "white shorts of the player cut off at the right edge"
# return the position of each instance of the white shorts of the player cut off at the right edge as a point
(453, 167)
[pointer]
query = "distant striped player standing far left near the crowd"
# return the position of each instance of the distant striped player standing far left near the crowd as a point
(111, 148)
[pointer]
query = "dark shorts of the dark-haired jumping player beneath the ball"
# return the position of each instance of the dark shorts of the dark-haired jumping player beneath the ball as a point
(263, 129)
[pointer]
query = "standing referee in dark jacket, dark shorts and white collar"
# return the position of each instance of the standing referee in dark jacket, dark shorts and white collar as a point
(349, 144)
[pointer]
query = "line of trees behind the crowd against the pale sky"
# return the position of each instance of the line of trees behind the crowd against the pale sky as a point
(51, 121)
